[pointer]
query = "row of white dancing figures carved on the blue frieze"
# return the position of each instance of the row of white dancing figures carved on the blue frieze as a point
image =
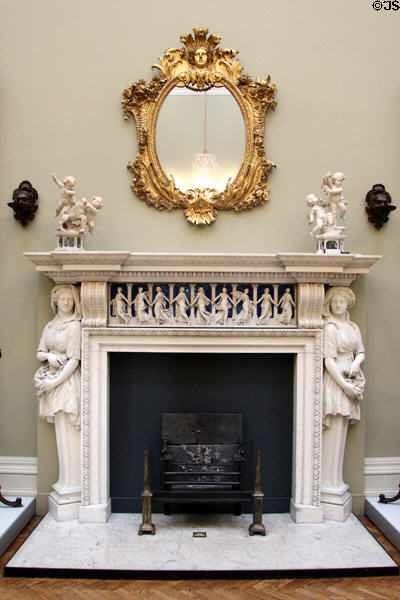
(223, 302)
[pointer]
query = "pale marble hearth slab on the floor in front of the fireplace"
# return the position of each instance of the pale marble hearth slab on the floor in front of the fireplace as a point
(117, 547)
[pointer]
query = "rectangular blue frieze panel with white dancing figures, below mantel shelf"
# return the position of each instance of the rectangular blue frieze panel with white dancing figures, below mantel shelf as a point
(202, 305)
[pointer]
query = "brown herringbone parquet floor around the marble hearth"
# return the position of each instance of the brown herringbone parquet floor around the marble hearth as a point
(362, 588)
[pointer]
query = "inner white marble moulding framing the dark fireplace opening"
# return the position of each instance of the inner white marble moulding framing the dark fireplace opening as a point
(304, 346)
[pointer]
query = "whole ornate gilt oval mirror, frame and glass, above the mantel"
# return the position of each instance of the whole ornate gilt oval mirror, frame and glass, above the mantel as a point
(200, 127)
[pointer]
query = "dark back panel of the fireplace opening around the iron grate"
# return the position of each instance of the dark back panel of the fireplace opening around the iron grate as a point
(145, 385)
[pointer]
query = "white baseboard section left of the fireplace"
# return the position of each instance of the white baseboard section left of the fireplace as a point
(18, 475)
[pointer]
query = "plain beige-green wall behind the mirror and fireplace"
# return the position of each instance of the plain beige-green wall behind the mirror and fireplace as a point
(65, 65)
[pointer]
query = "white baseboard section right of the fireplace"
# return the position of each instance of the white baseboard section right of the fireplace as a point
(381, 476)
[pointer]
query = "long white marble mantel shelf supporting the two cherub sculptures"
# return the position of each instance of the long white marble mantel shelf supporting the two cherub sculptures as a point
(124, 266)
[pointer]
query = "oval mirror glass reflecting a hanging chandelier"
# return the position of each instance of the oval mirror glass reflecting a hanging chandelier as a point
(190, 122)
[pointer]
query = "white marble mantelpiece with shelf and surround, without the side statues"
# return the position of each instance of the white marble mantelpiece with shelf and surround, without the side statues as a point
(297, 334)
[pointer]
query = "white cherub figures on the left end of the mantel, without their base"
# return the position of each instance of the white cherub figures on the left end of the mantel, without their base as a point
(75, 215)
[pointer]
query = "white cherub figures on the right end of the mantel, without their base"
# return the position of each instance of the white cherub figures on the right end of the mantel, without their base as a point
(324, 211)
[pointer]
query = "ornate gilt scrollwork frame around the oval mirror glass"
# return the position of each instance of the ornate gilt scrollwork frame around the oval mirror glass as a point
(200, 65)
